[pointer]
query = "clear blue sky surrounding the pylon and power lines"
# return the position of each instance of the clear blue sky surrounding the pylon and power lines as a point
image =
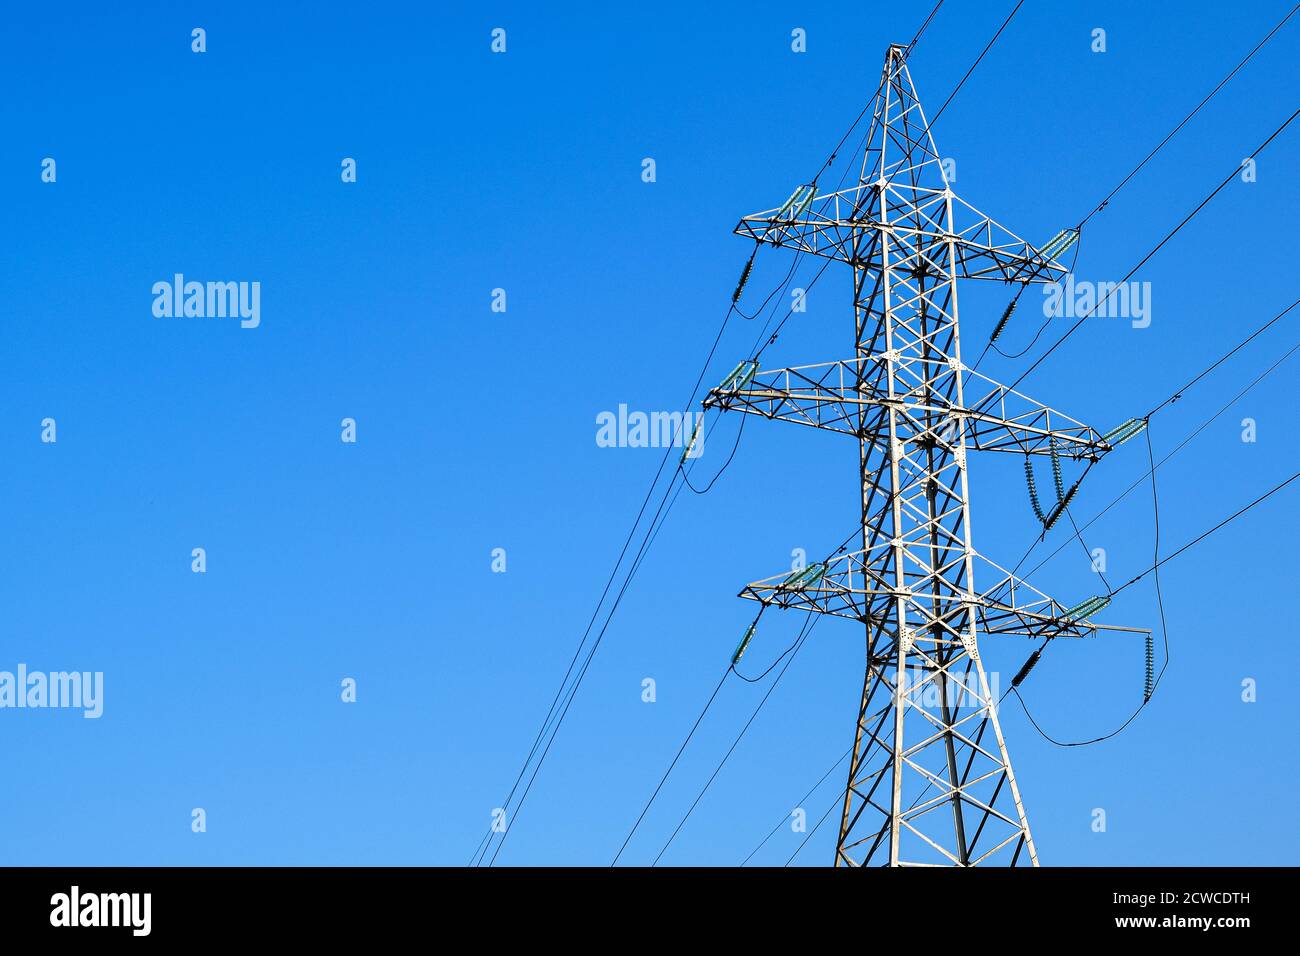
(476, 430)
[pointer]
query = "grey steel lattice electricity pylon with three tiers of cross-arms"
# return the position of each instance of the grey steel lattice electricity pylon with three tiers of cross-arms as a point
(930, 781)
